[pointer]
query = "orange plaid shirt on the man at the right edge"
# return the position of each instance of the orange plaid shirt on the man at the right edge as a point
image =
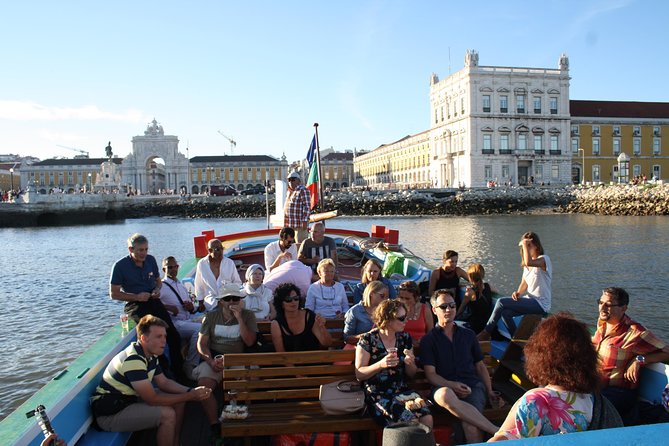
(619, 347)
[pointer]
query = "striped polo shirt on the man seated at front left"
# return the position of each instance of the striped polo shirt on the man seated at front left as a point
(130, 365)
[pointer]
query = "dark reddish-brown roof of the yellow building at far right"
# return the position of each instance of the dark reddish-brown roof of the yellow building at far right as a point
(618, 109)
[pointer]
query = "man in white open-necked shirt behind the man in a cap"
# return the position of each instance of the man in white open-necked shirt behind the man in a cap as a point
(212, 272)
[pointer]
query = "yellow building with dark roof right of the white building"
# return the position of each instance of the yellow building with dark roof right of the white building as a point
(603, 130)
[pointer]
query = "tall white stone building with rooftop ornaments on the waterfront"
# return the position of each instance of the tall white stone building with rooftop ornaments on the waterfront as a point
(501, 124)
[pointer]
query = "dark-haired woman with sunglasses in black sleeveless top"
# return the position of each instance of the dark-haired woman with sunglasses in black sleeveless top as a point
(296, 329)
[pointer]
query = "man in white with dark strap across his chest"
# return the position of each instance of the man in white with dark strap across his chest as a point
(176, 300)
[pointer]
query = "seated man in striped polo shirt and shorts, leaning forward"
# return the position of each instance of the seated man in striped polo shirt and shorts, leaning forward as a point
(126, 399)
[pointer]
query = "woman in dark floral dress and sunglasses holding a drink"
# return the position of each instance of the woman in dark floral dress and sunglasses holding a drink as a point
(384, 359)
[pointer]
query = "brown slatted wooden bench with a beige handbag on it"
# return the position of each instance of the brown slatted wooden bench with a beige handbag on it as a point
(281, 391)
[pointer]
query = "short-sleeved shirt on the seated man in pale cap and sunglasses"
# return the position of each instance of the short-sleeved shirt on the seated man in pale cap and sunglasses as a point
(225, 335)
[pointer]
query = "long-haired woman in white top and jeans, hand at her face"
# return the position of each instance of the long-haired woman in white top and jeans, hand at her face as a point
(533, 295)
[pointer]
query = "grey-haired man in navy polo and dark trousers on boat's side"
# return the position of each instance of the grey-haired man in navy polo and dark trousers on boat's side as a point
(135, 280)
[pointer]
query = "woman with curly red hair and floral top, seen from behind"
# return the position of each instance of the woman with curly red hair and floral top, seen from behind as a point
(560, 359)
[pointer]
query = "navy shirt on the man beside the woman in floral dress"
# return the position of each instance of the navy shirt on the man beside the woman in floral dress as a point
(453, 360)
